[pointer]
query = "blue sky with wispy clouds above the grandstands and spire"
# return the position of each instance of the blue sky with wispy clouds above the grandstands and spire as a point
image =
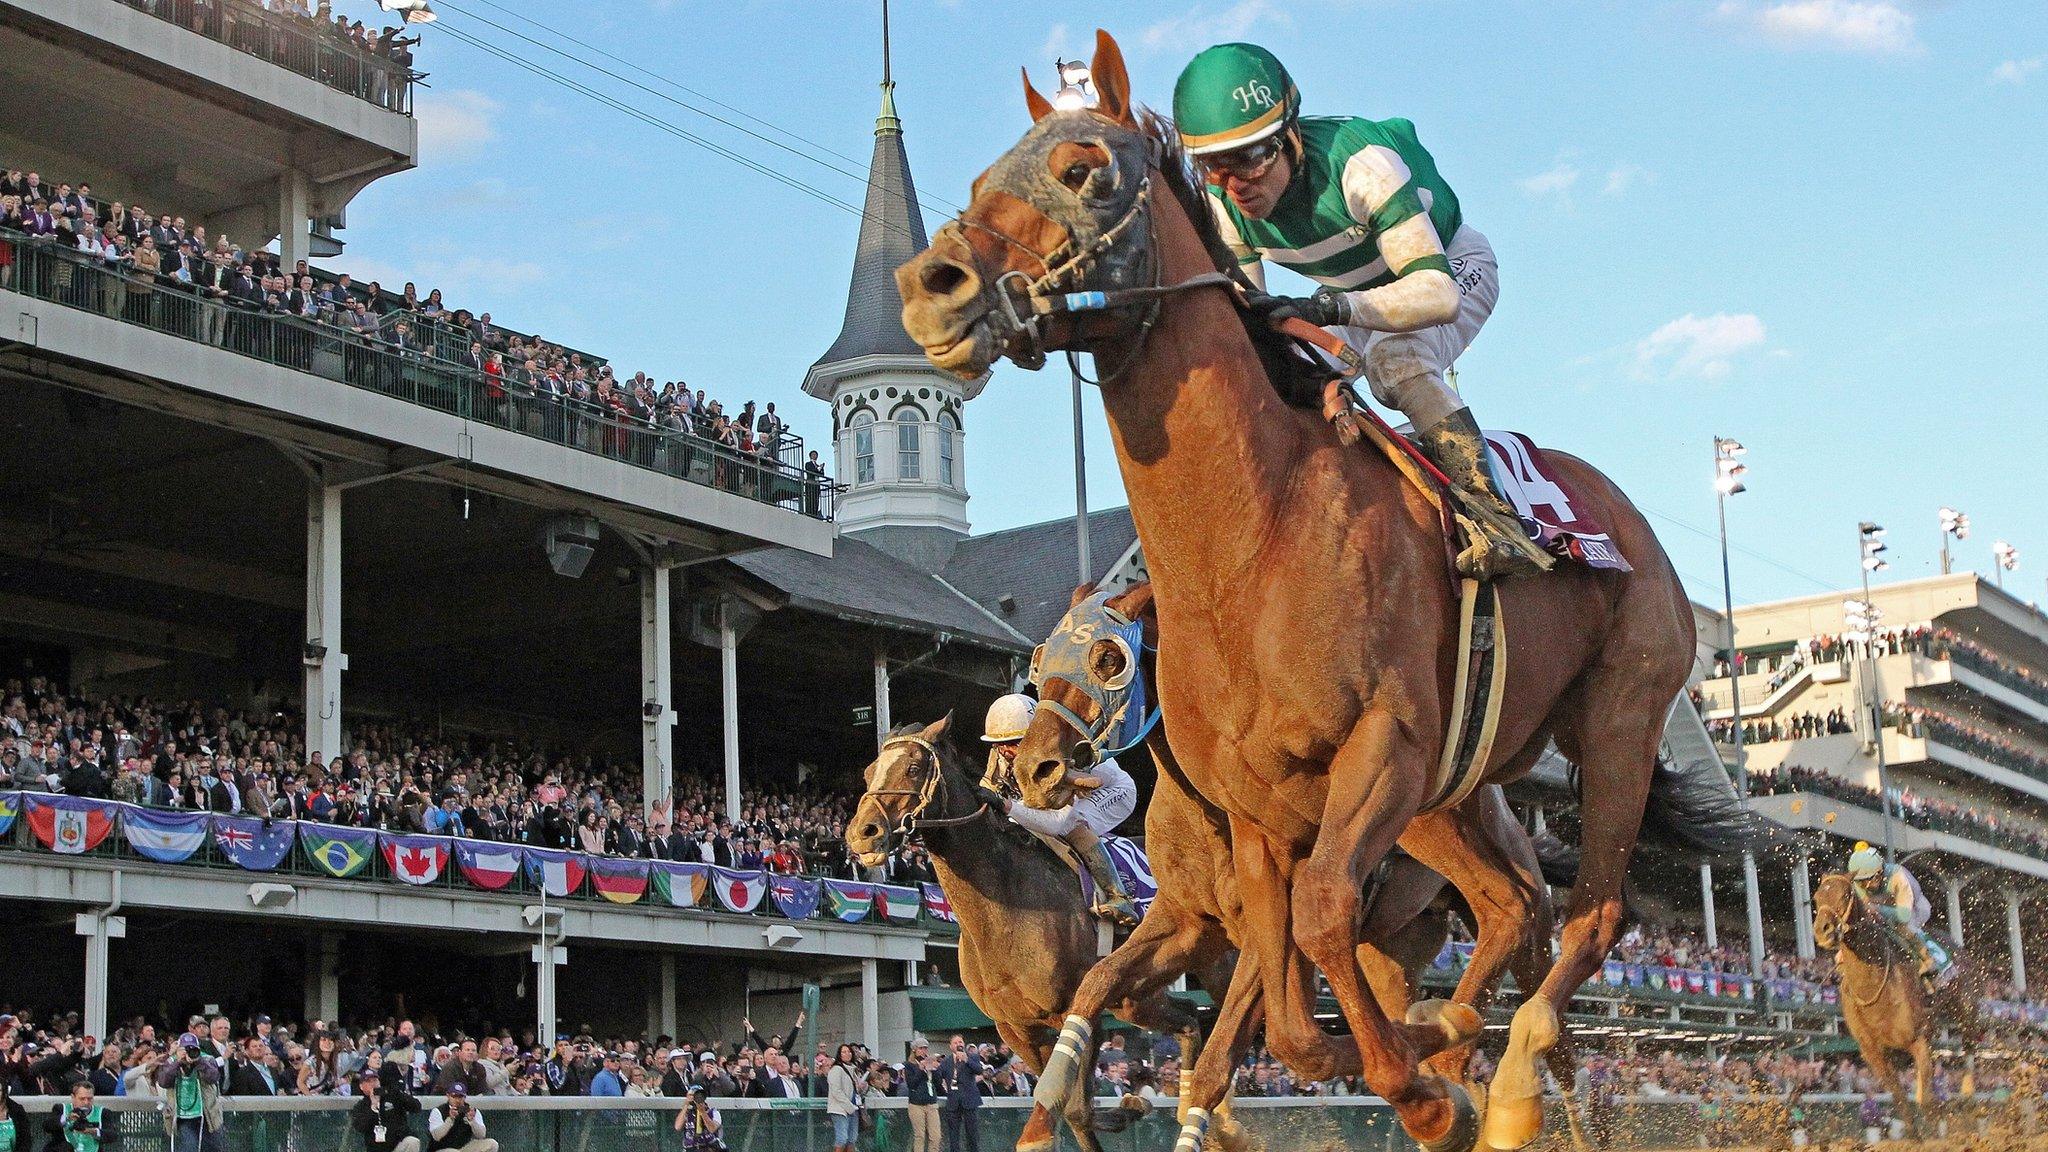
(1807, 224)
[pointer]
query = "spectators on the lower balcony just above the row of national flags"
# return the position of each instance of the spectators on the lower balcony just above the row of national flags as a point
(394, 778)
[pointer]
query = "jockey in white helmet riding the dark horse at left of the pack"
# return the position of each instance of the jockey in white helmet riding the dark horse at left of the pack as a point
(1105, 798)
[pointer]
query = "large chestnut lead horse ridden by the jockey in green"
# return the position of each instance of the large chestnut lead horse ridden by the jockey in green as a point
(1306, 593)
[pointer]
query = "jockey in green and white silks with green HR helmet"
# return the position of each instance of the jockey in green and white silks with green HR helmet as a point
(1359, 208)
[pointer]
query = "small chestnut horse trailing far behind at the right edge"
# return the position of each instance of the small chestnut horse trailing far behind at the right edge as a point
(1883, 999)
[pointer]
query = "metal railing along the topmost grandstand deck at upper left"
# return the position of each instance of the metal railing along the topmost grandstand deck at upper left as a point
(298, 44)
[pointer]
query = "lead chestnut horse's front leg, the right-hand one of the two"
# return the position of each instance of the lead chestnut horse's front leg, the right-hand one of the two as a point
(1377, 784)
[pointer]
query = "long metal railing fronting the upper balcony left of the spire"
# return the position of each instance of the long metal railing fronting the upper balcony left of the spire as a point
(54, 274)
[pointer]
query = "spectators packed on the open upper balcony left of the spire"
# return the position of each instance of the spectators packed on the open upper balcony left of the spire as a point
(173, 276)
